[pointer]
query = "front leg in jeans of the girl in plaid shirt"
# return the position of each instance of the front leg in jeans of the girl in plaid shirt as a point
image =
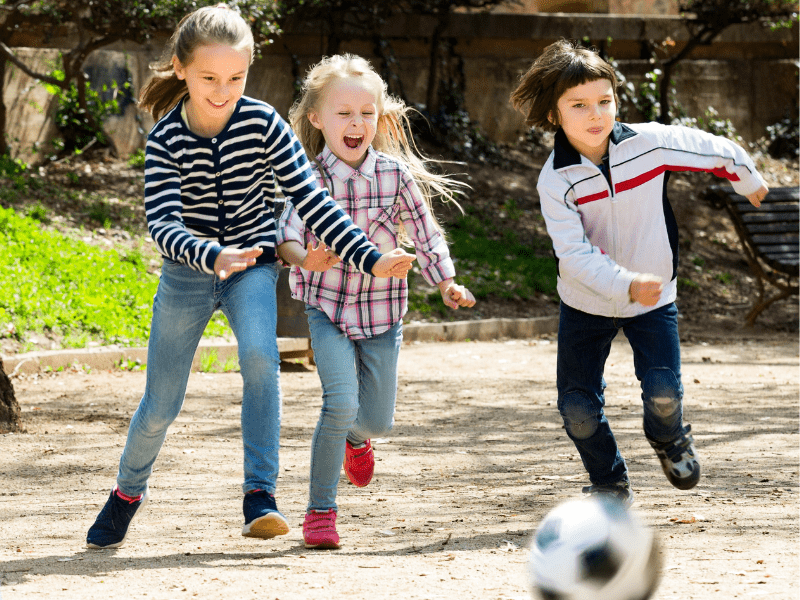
(335, 355)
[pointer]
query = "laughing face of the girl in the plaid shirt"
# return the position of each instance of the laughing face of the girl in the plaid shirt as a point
(347, 116)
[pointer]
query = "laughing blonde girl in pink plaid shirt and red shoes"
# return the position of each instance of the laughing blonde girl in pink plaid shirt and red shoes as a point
(364, 153)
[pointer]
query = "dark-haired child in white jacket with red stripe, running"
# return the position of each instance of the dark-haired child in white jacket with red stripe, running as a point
(603, 197)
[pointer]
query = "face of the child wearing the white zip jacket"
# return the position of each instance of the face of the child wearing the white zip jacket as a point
(586, 113)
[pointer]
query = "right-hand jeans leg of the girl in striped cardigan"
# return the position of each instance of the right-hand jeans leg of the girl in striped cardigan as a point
(248, 301)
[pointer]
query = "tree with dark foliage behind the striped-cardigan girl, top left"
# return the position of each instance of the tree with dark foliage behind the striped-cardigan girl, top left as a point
(94, 25)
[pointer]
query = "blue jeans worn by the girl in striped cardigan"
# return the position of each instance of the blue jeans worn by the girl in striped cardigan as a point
(183, 305)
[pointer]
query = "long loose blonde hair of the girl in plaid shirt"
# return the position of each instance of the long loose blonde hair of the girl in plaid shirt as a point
(393, 136)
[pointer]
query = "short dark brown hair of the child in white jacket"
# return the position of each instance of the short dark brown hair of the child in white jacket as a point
(562, 65)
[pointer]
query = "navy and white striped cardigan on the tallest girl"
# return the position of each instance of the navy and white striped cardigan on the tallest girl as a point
(203, 194)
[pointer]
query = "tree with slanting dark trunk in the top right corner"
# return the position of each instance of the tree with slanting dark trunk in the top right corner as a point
(706, 19)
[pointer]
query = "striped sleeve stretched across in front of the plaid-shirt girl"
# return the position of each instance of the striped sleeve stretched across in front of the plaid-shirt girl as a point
(316, 208)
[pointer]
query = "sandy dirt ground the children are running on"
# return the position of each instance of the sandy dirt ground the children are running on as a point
(477, 457)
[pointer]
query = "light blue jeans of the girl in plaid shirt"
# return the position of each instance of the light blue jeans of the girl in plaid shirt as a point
(359, 388)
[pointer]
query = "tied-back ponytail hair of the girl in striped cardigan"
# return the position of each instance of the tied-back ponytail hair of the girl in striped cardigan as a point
(218, 24)
